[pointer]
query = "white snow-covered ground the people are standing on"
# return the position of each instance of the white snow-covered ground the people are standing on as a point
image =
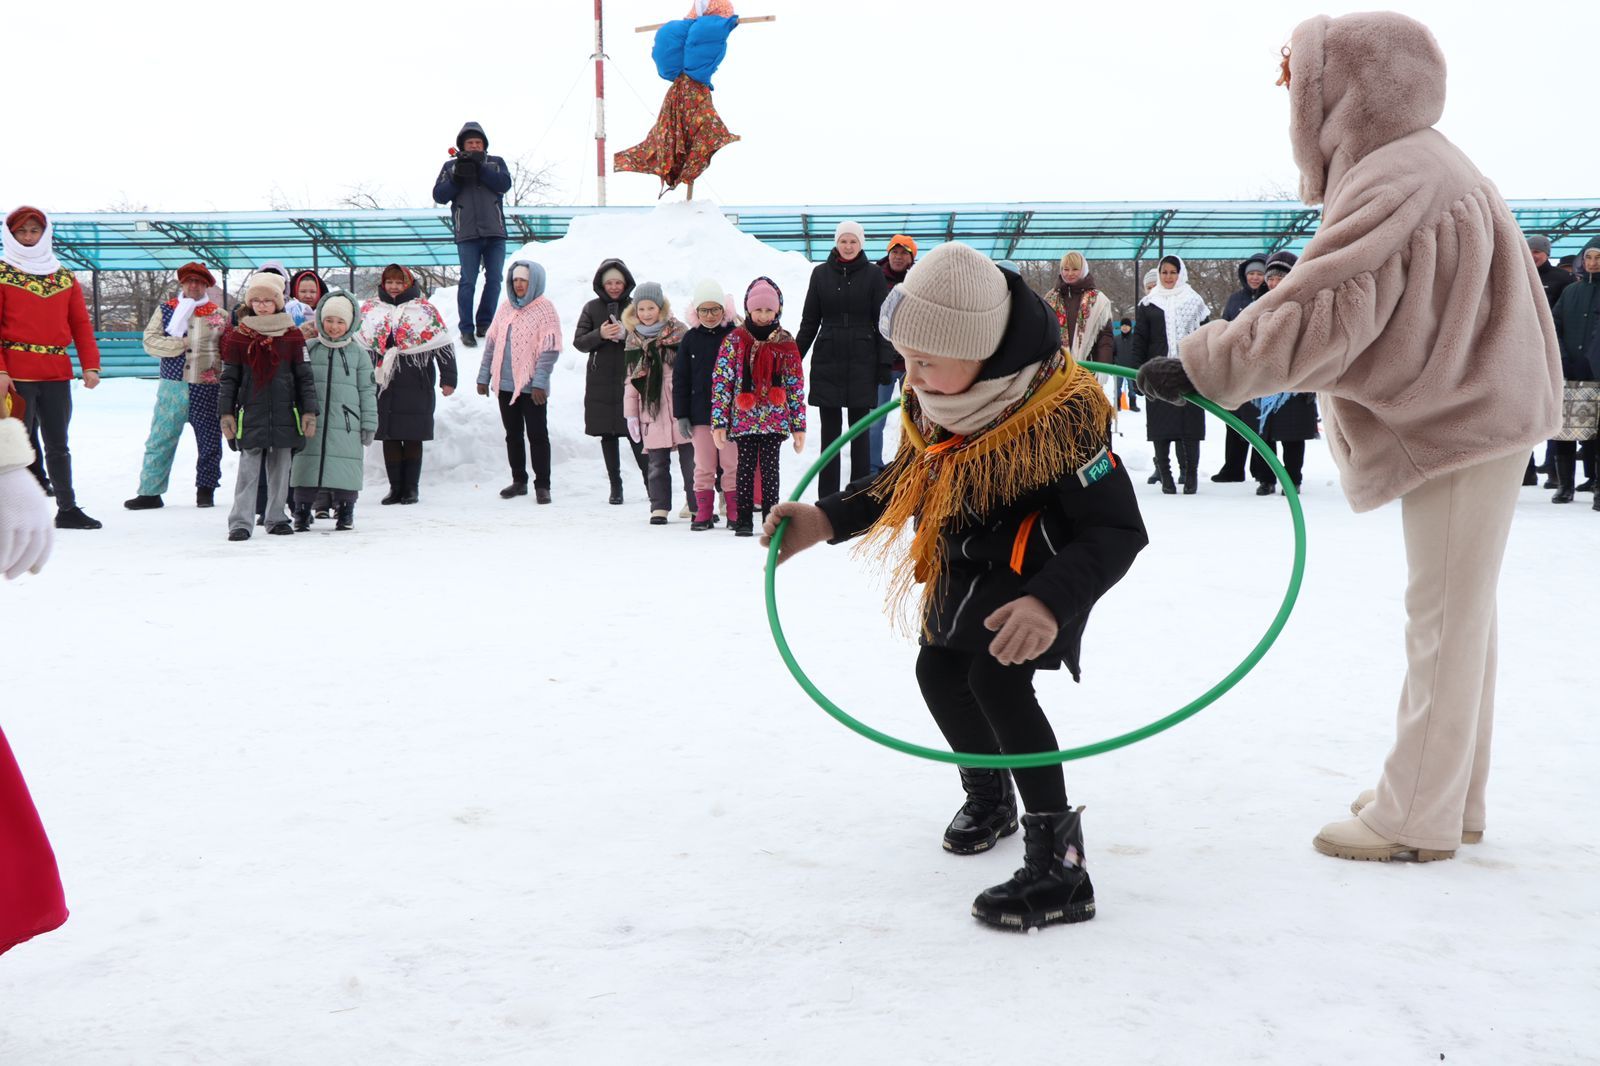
(486, 782)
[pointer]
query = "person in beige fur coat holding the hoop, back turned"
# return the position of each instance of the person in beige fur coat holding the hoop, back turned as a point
(1418, 316)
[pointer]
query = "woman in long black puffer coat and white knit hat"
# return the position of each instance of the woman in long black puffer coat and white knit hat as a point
(850, 361)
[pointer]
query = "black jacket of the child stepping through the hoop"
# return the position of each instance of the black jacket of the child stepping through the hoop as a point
(1089, 529)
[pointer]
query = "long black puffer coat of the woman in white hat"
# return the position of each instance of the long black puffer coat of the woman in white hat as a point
(841, 318)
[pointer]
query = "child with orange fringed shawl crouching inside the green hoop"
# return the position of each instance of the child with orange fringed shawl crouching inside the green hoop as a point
(1023, 519)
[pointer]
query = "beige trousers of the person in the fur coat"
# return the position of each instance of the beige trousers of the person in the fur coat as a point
(1455, 540)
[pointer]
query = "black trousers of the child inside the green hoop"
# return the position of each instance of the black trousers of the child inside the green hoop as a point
(986, 708)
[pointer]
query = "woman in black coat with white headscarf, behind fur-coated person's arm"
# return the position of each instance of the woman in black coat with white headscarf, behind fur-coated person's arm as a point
(1170, 313)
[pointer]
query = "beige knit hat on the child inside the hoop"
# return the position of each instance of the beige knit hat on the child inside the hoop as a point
(954, 303)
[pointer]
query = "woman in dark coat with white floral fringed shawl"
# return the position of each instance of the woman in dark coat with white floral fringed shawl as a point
(407, 337)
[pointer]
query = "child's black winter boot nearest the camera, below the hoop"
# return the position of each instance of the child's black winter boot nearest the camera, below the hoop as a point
(1052, 889)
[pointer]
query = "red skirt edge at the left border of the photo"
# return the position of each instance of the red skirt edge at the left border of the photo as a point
(31, 899)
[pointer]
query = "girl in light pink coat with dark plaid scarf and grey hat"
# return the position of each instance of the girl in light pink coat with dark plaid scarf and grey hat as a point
(652, 347)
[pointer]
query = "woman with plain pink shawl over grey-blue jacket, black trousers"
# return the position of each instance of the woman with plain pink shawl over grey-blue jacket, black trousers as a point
(519, 355)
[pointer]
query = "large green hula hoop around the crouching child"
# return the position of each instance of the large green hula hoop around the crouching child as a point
(1047, 758)
